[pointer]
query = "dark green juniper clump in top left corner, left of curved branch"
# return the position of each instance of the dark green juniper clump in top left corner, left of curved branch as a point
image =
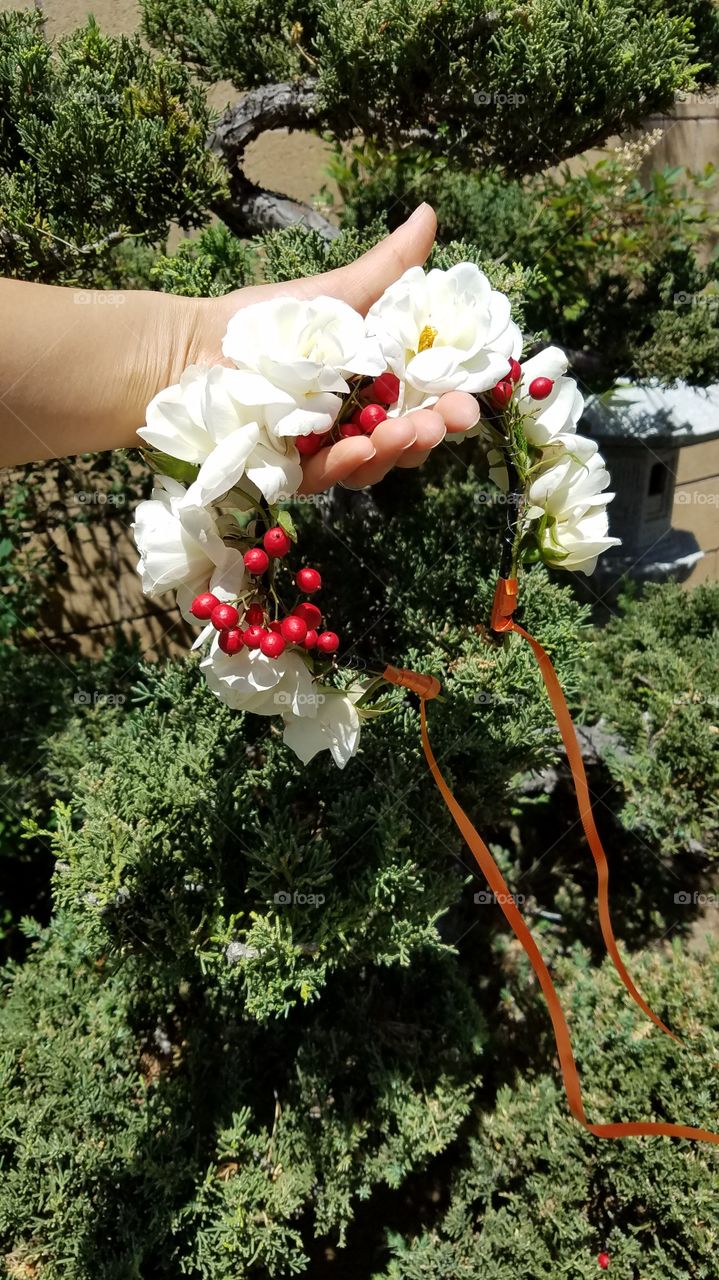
(99, 143)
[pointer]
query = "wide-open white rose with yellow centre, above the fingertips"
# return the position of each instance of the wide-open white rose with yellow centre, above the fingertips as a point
(442, 332)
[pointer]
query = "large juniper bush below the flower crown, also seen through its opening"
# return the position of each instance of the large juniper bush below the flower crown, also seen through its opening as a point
(254, 1069)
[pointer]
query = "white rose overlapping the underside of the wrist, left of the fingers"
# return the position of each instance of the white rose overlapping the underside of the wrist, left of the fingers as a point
(218, 419)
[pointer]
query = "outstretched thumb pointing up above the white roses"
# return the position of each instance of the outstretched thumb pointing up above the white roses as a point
(365, 281)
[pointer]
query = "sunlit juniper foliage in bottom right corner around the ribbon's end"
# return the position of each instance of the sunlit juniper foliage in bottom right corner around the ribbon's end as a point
(537, 1197)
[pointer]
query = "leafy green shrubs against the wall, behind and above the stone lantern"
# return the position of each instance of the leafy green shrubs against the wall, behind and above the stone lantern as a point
(621, 282)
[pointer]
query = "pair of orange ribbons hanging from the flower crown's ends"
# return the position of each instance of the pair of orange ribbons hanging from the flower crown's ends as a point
(428, 688)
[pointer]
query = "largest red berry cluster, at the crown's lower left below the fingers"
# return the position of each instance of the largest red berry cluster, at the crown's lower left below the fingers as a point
(249, 627)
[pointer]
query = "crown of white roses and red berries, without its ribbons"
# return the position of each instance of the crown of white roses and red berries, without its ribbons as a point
(227, 446)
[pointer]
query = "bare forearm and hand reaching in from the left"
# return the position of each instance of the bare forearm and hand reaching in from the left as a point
(79, 368)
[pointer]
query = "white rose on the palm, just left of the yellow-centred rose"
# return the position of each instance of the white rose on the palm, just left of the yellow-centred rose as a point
(305, 349)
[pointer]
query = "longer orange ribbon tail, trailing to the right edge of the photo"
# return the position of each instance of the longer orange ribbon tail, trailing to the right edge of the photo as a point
(569, 1068)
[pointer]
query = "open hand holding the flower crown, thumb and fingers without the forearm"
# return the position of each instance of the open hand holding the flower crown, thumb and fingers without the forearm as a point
(405, 442)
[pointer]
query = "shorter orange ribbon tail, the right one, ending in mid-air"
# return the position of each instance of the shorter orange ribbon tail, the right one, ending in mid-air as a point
(583, 793)
